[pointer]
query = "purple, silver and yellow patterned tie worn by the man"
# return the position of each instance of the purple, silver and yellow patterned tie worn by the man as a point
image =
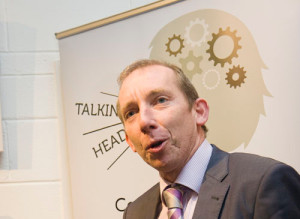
(173, 199)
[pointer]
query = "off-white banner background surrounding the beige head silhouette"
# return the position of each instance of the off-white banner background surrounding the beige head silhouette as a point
(91, 62)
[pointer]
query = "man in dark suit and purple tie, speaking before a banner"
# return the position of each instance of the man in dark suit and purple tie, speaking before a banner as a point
(164, 121)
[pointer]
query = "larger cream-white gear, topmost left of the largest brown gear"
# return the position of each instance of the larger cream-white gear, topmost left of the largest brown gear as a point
(187, 35)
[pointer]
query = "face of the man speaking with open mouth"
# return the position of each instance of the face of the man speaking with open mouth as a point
(158, 121)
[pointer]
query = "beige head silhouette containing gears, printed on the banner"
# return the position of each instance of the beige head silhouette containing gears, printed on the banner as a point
(218, 53)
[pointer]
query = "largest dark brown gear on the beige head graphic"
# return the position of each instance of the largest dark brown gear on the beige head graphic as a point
(213, 41)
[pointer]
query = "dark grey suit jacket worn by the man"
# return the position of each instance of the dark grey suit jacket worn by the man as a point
(235, 185)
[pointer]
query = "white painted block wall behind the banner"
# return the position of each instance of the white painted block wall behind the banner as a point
(33, 166)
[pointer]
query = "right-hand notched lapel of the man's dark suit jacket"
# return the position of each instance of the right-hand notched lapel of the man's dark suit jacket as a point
(213, 189)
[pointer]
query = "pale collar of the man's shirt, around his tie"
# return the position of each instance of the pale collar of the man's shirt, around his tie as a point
(193, 172)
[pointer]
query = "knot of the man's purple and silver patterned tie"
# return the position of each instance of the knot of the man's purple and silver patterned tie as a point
(173, 196)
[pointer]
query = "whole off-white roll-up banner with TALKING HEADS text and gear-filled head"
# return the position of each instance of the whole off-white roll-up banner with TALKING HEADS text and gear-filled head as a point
(242, 57)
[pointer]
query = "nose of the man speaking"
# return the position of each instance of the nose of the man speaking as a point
(147, 120)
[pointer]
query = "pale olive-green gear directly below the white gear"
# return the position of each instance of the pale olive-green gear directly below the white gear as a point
(191, 64)
